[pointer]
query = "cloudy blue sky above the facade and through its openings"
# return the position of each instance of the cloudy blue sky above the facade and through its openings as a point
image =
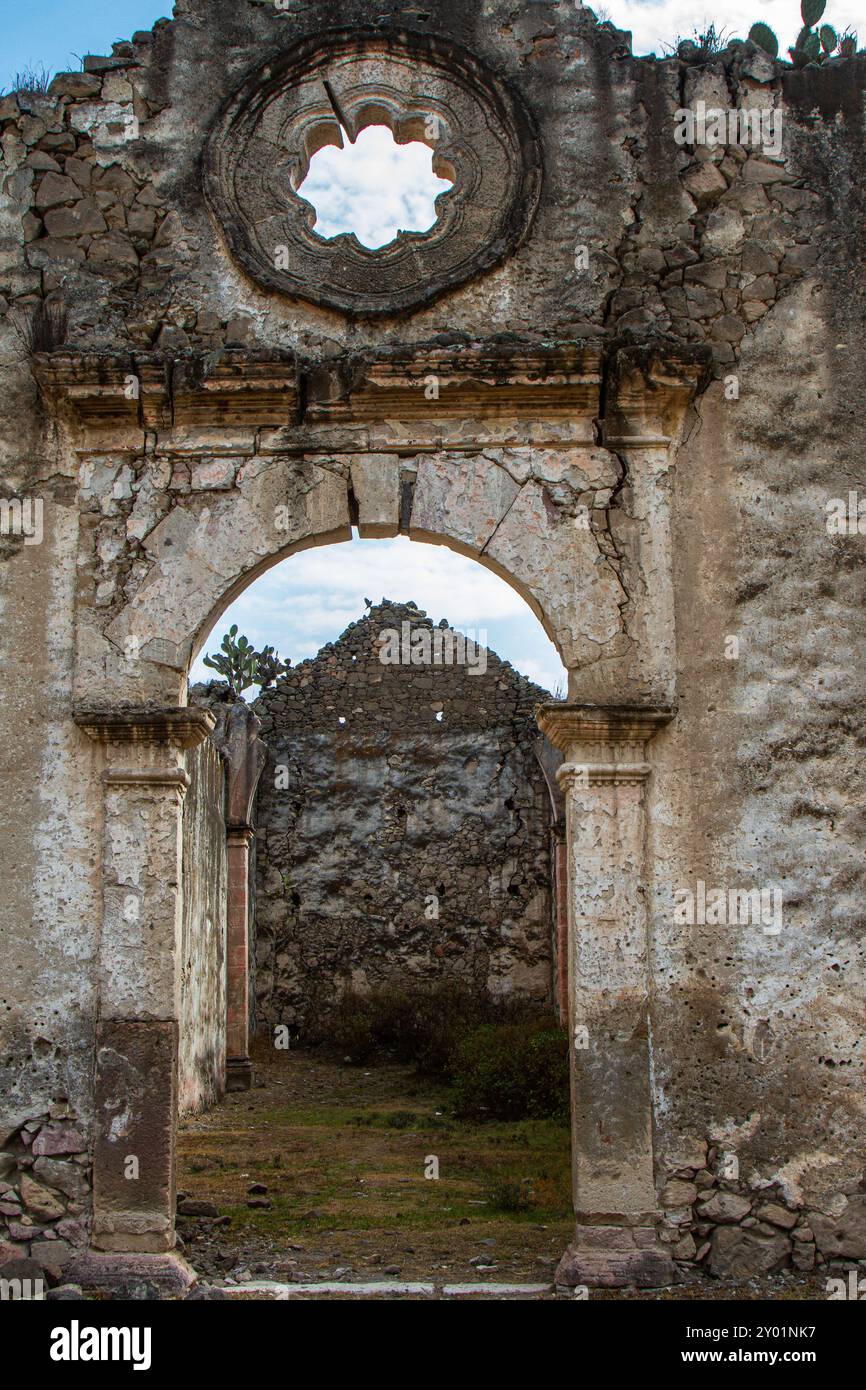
(311, 598)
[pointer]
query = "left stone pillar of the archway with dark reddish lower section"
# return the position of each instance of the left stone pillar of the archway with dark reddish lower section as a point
(140, 974)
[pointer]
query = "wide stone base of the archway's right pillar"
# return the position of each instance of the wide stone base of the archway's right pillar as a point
(616, 1257)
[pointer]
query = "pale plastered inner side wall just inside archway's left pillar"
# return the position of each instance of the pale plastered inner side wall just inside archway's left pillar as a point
(202, 1045)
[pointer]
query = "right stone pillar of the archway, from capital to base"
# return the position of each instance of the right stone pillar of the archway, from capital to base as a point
(604, 779)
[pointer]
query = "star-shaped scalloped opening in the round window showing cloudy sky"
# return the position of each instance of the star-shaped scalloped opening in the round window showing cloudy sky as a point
(375, 188)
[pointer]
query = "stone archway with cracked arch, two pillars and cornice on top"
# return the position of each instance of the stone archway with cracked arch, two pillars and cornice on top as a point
(551, 466)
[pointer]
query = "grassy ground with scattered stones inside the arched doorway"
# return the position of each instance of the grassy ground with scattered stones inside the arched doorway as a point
(343, 1153)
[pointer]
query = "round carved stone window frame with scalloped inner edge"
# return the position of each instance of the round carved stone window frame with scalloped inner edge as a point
(422, 88)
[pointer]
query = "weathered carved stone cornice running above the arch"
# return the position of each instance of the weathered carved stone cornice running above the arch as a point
(644, 391)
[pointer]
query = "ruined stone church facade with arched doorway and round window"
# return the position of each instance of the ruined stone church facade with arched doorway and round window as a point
(622, 372)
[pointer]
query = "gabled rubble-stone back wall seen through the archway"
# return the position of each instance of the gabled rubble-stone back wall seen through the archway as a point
(404, 826)
